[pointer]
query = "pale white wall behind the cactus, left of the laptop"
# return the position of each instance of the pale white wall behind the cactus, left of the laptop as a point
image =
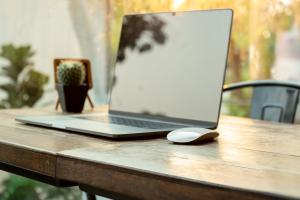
(50, 28)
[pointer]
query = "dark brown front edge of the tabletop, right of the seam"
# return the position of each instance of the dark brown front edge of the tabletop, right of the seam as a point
(136, 184)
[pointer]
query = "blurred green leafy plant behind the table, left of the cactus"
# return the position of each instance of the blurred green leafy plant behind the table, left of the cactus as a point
(24, 85)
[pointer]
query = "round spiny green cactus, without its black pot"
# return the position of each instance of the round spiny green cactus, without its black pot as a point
(71, 73)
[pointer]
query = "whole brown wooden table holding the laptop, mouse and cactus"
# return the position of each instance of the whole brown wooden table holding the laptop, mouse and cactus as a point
(250, 160)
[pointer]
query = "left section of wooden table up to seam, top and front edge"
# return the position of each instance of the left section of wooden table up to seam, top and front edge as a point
(34, 148)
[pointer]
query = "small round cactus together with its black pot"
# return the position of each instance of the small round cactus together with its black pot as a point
(72, 88)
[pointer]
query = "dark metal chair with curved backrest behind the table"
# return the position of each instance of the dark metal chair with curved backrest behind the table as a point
(271, 100)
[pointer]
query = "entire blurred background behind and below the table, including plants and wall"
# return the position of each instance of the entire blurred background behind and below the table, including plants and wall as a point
(265, 44)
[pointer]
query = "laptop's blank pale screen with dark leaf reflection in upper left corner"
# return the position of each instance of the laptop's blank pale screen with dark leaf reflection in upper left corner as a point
(172, 65)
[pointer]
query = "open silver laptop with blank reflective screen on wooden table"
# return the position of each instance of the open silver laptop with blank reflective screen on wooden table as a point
(169, 74)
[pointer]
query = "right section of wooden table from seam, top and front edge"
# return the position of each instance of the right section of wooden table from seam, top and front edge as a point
(249, 155)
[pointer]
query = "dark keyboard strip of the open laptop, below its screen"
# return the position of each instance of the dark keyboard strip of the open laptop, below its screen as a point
(131, 122)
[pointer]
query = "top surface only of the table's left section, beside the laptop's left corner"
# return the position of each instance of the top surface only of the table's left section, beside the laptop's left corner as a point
(36, 138)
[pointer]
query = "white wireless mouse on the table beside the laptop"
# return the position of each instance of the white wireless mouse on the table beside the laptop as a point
(192, 135)
